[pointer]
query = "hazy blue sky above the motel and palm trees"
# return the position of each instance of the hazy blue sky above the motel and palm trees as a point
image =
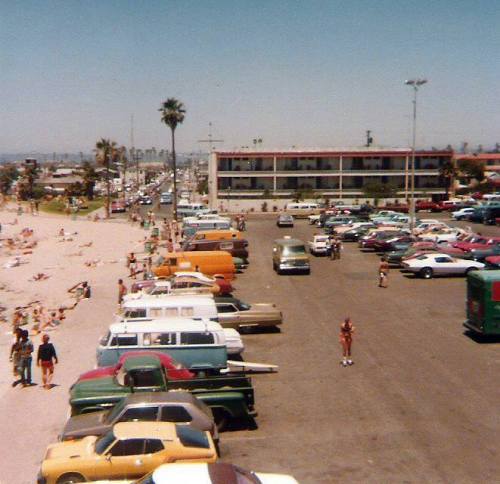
(292, 73)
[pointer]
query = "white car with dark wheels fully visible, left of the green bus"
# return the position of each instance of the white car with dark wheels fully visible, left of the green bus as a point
(436, 264)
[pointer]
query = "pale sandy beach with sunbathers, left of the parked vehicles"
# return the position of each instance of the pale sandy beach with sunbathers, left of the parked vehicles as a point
(89, 251)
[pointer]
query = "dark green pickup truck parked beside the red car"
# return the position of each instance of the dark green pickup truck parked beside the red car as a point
(231, 398)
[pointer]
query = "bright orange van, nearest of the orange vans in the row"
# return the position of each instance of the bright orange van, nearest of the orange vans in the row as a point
(207, 262)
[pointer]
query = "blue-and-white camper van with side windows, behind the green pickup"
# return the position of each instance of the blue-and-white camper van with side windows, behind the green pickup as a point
(196, 344)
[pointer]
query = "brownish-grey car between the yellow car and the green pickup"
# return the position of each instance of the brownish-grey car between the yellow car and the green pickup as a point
(179, 407)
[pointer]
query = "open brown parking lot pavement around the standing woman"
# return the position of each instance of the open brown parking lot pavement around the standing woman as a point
(420, 403)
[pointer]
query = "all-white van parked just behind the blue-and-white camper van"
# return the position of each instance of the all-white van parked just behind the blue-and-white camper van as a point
(169, 306)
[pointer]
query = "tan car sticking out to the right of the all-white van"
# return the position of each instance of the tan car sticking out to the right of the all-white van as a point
(234, 313)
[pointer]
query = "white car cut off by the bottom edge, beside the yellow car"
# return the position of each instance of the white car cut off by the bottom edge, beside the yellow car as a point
(218, 473)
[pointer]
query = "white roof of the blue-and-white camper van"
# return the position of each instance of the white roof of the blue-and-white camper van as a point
(165, 324)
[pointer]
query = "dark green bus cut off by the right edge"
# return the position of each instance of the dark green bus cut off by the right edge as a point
(483, 302)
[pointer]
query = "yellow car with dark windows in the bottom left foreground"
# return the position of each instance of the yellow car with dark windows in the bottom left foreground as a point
(130, 450)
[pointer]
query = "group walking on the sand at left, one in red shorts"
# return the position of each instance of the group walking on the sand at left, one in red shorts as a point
(21, 356)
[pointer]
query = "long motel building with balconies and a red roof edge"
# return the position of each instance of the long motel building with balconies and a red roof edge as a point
(336, 173)
